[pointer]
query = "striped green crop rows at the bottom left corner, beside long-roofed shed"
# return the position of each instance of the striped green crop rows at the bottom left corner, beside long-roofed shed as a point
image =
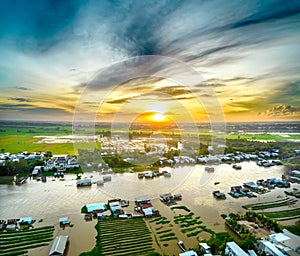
(19, 242)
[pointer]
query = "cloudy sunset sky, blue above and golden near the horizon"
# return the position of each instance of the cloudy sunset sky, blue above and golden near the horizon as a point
(119, 60)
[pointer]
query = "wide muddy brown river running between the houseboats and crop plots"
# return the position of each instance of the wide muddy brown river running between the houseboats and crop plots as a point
(54, 199)
